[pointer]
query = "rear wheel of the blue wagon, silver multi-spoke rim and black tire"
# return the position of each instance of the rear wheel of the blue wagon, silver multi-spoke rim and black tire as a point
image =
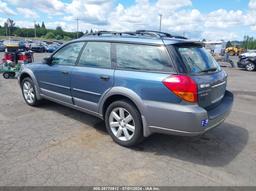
(124, 124)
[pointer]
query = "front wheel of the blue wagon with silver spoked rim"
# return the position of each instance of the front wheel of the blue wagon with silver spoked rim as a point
(29, 92)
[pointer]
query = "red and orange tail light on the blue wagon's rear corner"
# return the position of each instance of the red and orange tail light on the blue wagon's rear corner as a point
(182, 86)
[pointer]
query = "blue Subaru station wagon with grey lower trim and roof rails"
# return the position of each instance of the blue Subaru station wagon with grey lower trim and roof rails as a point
(140, 83)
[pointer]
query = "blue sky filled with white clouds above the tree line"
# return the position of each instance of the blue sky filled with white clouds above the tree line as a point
(197, 19)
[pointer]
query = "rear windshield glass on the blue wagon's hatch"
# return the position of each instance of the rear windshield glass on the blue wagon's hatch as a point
(198, 60)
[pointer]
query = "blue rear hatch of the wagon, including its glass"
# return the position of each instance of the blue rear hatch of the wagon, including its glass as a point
(211, 80)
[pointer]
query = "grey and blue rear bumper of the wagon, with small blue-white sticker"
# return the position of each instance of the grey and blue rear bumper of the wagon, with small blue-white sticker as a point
(185, 120)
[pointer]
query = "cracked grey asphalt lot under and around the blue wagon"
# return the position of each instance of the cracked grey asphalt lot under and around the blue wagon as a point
(54, 145)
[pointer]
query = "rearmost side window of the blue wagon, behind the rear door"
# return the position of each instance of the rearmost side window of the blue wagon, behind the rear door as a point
(142, 57)
